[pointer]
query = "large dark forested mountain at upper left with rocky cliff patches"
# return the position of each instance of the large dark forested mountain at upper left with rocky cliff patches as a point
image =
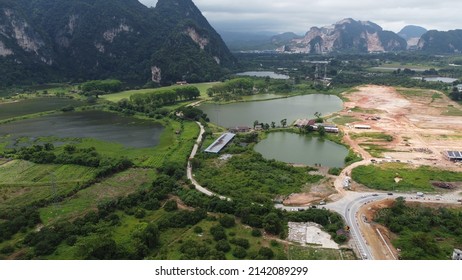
(94, 39)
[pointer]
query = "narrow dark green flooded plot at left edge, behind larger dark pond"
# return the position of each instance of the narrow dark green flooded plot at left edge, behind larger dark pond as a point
(35, 105)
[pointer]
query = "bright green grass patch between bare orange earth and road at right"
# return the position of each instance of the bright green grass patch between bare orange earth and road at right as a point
(383, 177)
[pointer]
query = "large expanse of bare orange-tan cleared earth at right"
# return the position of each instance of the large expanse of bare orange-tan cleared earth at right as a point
(417, 121)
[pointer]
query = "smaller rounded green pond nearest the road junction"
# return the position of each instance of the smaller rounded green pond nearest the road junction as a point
(302, 149)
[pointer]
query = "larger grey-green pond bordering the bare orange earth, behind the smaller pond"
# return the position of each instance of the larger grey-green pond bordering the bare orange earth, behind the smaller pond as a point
(291, 108)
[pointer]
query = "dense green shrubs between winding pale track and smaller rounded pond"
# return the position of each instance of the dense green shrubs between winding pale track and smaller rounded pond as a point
(249, 175)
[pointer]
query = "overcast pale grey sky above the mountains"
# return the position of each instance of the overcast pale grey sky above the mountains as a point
(299, 15)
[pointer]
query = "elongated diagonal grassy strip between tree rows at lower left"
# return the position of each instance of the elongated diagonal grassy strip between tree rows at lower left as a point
(88, 199)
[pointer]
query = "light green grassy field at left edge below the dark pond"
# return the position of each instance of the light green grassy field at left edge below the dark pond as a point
(25, 182)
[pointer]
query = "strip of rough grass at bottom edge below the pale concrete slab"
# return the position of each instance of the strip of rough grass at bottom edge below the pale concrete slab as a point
(313, 253)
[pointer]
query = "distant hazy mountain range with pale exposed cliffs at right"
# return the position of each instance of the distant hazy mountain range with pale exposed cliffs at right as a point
(352, 36)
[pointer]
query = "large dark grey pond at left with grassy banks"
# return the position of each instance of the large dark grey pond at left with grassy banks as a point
(104, 126)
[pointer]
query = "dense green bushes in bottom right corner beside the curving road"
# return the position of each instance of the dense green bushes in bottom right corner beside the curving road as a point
(423, 233)
